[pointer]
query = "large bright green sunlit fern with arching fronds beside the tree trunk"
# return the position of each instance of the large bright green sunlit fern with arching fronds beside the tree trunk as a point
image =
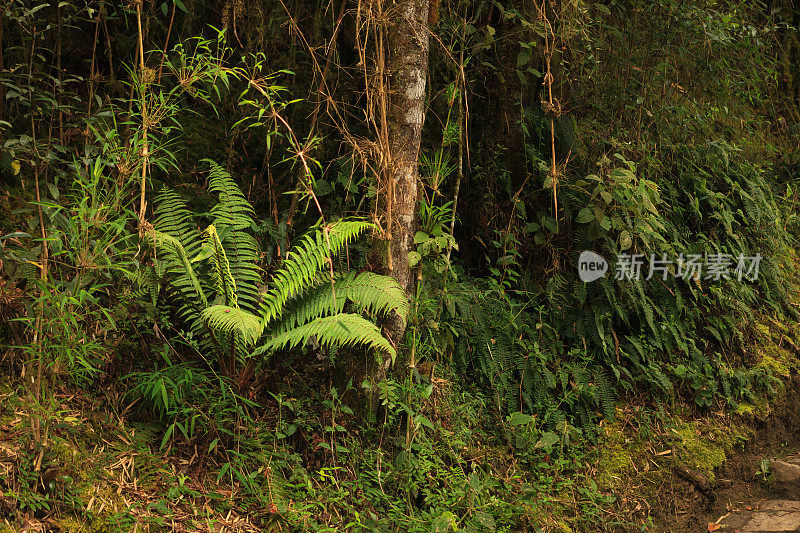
(216, 291)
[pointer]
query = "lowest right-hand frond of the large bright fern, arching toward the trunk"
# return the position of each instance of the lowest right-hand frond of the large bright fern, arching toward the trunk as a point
(343, 329)
